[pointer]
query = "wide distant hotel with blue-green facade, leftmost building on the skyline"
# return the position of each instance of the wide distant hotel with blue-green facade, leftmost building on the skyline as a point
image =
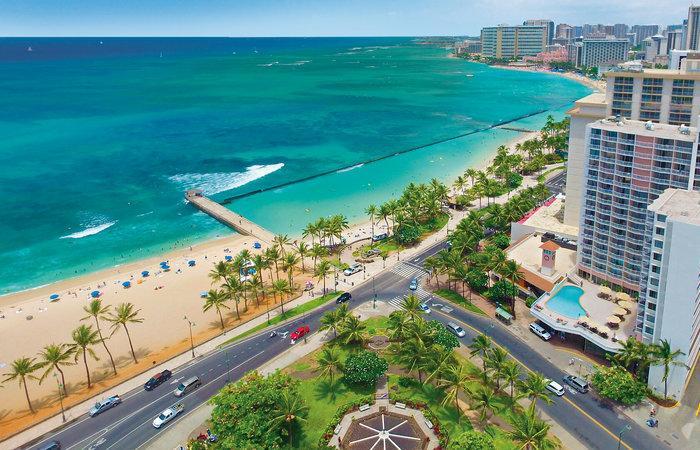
(513, 41)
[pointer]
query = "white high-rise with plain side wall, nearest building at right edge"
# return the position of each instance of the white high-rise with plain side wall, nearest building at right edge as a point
(669, 301)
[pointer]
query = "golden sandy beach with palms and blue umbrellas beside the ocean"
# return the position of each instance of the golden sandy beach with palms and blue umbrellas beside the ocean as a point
(30, 321)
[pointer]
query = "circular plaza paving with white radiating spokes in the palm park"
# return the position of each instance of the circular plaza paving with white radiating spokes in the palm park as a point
(384, 431)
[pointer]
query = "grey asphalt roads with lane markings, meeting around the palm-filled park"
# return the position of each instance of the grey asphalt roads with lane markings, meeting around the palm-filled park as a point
(128, 425)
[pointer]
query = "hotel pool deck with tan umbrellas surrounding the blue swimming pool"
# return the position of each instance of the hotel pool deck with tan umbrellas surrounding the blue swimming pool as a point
(598, 310)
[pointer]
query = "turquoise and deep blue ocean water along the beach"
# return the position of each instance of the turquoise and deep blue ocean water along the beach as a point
(101, 139)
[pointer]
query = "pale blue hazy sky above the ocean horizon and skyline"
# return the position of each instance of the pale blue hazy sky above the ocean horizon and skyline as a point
(313, 17)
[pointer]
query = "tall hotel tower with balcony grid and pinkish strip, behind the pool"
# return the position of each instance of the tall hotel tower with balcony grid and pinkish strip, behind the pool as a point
(629, 164)
